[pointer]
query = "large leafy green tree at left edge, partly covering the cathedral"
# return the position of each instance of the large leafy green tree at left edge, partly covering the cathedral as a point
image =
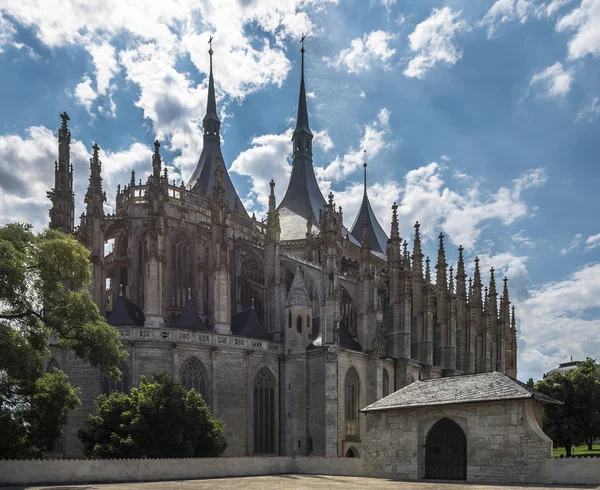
(42, 295)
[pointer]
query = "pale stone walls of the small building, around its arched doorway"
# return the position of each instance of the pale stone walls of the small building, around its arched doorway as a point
(504, 441)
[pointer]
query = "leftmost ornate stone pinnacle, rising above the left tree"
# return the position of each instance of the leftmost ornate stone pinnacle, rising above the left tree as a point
(62, 212)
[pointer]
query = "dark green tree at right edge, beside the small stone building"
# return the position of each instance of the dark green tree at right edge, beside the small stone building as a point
(578, 419)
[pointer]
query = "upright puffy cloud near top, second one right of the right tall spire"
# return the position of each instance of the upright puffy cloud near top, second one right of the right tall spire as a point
(433, 41)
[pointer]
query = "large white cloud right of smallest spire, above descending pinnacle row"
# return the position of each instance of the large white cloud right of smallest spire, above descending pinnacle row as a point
(426, 198)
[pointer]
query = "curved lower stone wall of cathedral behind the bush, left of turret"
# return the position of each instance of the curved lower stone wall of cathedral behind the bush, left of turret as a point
(231, 374)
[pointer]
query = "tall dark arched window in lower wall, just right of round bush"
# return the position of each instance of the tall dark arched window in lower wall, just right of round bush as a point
(264, 412)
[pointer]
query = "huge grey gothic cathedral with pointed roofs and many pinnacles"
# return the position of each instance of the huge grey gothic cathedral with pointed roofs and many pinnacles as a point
(340, 317)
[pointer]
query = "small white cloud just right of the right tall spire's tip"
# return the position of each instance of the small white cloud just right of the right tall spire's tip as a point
(363, 51)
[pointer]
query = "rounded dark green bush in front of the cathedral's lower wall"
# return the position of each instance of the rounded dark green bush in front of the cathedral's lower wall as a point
(156, 420)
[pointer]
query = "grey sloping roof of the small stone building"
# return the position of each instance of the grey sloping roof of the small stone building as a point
(468, 388)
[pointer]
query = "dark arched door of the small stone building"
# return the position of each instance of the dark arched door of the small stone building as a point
(446, 452)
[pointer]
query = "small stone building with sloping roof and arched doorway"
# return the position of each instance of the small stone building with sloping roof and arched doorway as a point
(485, 426)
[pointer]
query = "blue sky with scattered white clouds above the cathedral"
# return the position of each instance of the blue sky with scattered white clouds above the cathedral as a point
(480, 118)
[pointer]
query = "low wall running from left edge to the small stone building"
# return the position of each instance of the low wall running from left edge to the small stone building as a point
(72, 471)
